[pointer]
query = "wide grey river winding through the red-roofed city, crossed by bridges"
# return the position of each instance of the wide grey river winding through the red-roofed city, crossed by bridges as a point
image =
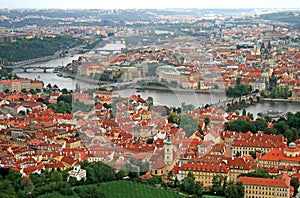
(168, 98)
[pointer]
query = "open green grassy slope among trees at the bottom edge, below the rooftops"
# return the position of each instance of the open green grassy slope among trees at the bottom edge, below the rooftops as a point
(128, 189)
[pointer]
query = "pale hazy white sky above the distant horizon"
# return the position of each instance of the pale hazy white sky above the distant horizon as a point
(125, 4)
